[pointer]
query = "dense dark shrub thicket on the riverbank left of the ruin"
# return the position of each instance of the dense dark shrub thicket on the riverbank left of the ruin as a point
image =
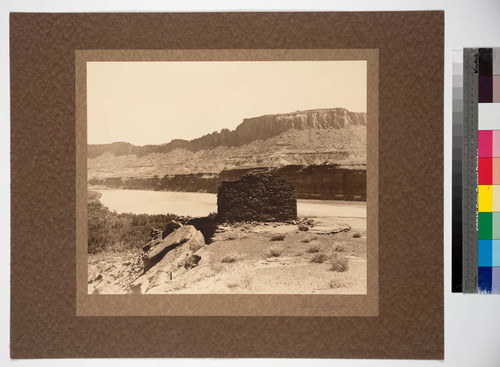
(109, 231)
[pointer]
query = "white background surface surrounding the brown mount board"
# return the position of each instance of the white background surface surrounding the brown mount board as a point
(472, 322)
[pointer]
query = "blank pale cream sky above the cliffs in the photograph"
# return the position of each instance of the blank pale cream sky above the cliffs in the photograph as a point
(155, 102)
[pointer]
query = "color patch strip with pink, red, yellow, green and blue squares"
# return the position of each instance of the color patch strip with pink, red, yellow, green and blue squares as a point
(488, 170)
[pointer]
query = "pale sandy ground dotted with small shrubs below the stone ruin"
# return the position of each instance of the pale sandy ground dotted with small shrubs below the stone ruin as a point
(251, 258)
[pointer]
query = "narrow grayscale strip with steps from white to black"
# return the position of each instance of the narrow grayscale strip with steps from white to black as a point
(457, 119)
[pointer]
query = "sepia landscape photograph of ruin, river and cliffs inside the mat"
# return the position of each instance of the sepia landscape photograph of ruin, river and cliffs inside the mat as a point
(227, 177)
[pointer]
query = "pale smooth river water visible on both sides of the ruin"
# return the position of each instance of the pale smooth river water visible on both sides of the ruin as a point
(197, 204)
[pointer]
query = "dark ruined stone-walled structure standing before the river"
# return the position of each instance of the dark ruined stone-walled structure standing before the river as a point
(257, 197)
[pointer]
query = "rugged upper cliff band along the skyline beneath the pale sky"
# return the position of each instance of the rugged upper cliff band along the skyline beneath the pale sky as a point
(251, 129)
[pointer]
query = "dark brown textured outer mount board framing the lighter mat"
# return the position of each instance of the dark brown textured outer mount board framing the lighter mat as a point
(410, 177)
